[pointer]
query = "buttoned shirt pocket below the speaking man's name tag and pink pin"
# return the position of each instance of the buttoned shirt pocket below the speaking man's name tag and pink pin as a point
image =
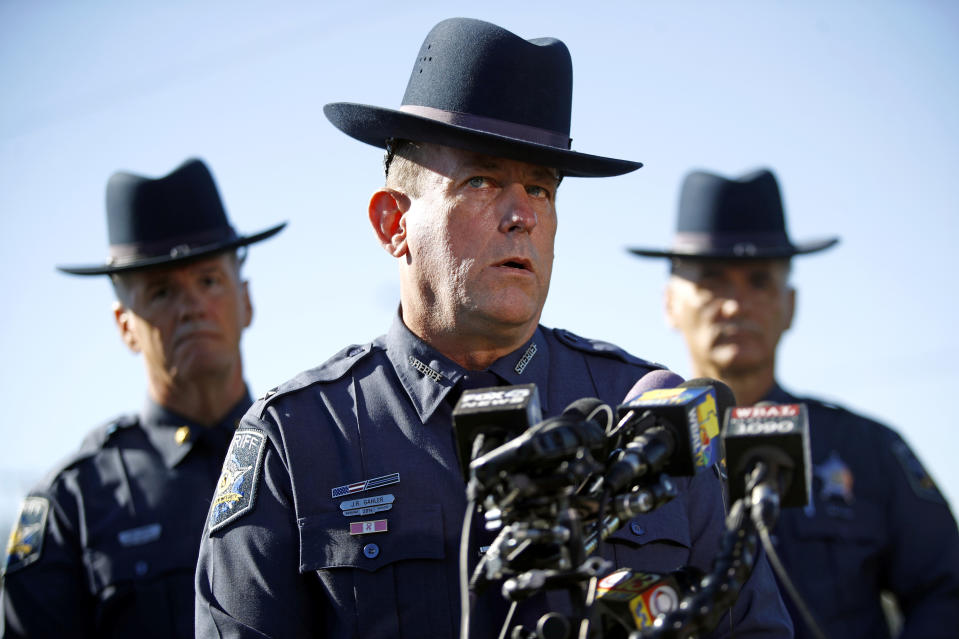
(389, 583)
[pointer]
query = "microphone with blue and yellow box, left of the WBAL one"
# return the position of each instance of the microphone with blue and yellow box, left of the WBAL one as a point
(677, 432)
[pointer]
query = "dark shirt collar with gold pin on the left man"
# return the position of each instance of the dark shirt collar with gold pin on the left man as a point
(175, 436)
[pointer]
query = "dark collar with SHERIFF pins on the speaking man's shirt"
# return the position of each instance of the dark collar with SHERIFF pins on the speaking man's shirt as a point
(428, 376)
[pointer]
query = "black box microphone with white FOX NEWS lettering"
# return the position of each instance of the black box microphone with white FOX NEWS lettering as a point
(485, 418)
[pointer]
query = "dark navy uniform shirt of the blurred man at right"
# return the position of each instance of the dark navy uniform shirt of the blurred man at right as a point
(876, 522)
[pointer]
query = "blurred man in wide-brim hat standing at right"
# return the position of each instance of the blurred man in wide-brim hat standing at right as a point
(876, 521)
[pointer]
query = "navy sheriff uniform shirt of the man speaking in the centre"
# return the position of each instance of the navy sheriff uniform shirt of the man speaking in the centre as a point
(347, 499)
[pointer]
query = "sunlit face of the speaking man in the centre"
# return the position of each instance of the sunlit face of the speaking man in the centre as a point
(480, 234)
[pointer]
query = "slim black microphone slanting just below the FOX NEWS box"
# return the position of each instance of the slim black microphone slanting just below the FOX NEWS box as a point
(545, 444)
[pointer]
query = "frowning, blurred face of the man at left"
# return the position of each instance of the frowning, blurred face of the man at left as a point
(185, 320)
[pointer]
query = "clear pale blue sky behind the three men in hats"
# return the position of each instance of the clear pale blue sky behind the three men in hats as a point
(854, 104)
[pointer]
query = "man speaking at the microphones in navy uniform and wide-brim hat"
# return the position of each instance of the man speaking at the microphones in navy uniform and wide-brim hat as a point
(359, 494)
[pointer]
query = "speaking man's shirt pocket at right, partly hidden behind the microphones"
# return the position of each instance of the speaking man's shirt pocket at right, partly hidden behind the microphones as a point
(655, 542)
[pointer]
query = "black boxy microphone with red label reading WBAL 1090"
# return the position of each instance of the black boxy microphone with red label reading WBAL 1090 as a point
(777, 436)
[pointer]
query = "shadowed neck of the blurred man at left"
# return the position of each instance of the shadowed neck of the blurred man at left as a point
(205, 401)
